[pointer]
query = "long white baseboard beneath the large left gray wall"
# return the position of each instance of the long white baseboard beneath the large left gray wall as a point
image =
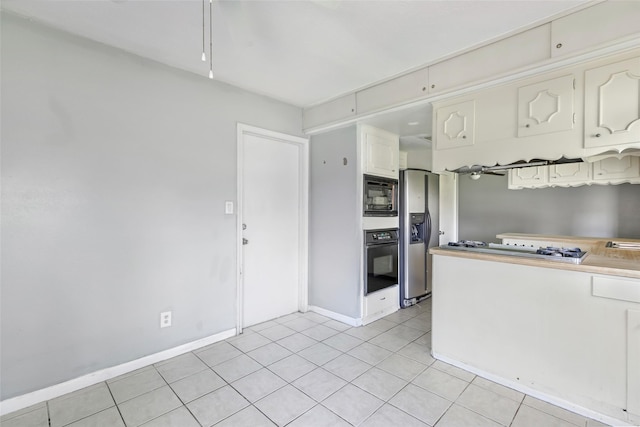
(19, 402)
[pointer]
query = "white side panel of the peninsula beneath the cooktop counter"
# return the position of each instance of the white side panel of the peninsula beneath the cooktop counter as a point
(536, 328)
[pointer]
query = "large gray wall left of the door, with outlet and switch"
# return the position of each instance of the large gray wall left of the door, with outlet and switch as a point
(115, 170)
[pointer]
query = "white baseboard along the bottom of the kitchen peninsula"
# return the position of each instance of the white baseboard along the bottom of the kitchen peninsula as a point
(535, 393)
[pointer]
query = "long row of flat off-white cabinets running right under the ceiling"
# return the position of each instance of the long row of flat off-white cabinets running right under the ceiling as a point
(600, 29)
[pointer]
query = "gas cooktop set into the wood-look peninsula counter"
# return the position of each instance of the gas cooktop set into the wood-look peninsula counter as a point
(568, 255)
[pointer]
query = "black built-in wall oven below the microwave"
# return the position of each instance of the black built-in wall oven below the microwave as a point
(381, 259)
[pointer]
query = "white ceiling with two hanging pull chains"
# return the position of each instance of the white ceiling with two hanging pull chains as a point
(302, 52)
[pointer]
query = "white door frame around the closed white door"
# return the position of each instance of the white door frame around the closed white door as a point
(303, 214)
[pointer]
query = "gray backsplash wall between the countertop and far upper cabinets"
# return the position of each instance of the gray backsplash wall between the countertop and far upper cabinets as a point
(487, 208)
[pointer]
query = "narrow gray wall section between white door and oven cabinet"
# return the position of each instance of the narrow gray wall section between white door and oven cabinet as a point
(334, 230)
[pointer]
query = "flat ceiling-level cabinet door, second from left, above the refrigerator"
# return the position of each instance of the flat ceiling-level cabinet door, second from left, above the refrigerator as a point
(405, 88)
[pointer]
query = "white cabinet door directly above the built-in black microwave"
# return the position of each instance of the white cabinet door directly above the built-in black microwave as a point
(381, 154)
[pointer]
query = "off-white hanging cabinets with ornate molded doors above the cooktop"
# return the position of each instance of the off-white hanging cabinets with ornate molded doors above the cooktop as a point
(587, 111)
